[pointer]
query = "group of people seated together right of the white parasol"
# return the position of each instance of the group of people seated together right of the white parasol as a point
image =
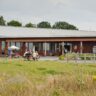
(31, 55)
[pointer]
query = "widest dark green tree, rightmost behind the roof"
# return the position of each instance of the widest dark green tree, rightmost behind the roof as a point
(64, 25)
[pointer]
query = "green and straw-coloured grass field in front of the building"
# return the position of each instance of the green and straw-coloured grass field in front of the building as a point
(46, 78)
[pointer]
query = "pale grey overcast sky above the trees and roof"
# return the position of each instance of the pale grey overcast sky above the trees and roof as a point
(81, 13)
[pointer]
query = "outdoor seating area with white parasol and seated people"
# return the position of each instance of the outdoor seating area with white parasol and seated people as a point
(14, 52)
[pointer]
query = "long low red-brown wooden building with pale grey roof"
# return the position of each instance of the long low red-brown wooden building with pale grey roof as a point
(47, 41)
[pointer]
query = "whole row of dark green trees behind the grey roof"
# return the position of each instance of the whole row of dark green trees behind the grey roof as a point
(43, 24)
